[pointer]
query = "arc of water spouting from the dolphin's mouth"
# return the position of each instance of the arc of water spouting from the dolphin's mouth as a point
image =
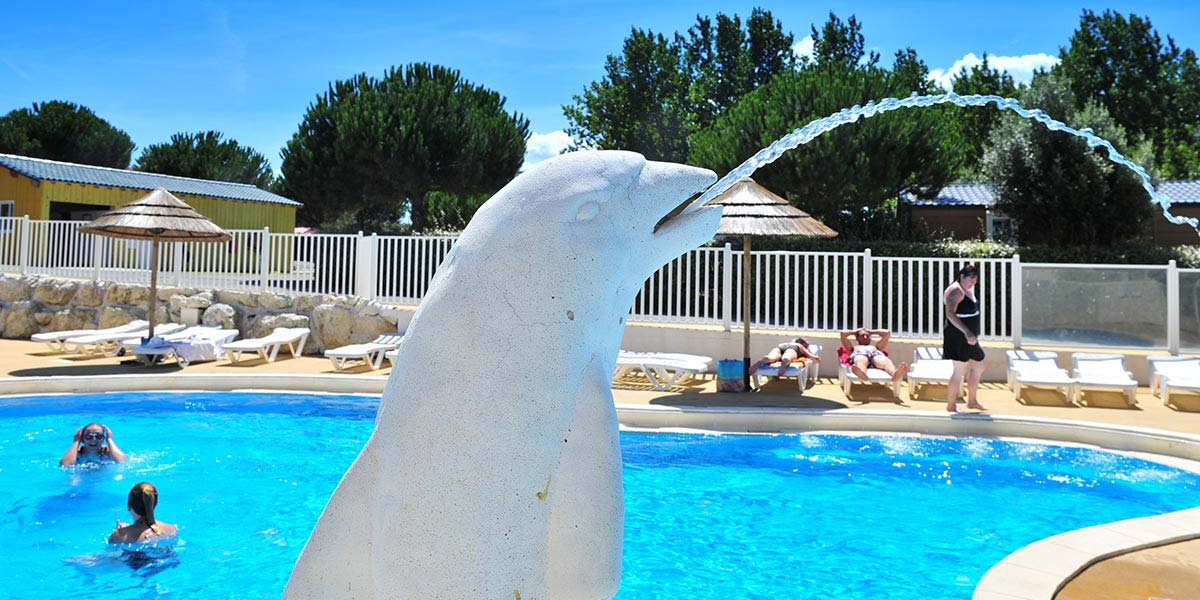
(818, 128)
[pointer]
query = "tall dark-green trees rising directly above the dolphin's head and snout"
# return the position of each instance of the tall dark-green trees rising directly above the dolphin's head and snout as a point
(661, 91)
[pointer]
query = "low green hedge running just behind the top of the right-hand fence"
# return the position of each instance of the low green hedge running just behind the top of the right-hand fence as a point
(1186, 257)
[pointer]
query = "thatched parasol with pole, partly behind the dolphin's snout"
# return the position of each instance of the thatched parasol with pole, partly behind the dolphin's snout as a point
(751, 209)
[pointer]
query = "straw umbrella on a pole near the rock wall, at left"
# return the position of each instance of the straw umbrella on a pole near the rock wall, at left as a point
(159, 217)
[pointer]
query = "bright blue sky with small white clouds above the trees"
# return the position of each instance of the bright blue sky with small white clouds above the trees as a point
(250, 69)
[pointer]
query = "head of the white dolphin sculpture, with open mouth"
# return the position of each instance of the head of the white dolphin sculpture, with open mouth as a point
(603, 207)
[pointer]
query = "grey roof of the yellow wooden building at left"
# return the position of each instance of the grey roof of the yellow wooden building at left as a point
(53, 171)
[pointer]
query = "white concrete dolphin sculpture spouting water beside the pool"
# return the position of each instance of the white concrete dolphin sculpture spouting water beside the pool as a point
(494, 471)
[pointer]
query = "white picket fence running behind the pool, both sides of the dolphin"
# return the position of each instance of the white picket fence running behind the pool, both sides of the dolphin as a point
(1151, 305)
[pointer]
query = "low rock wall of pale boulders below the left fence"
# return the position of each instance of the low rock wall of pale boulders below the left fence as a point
(33, 304)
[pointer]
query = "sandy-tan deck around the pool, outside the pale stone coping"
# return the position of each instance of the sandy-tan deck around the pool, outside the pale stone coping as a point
(1142, 574)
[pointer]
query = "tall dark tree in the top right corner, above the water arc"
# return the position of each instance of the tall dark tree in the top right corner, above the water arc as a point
(1150, 87)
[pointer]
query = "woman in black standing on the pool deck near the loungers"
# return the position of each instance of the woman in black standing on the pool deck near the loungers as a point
(961, 340)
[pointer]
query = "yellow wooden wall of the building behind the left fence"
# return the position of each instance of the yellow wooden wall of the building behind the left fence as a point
(225, 213)
